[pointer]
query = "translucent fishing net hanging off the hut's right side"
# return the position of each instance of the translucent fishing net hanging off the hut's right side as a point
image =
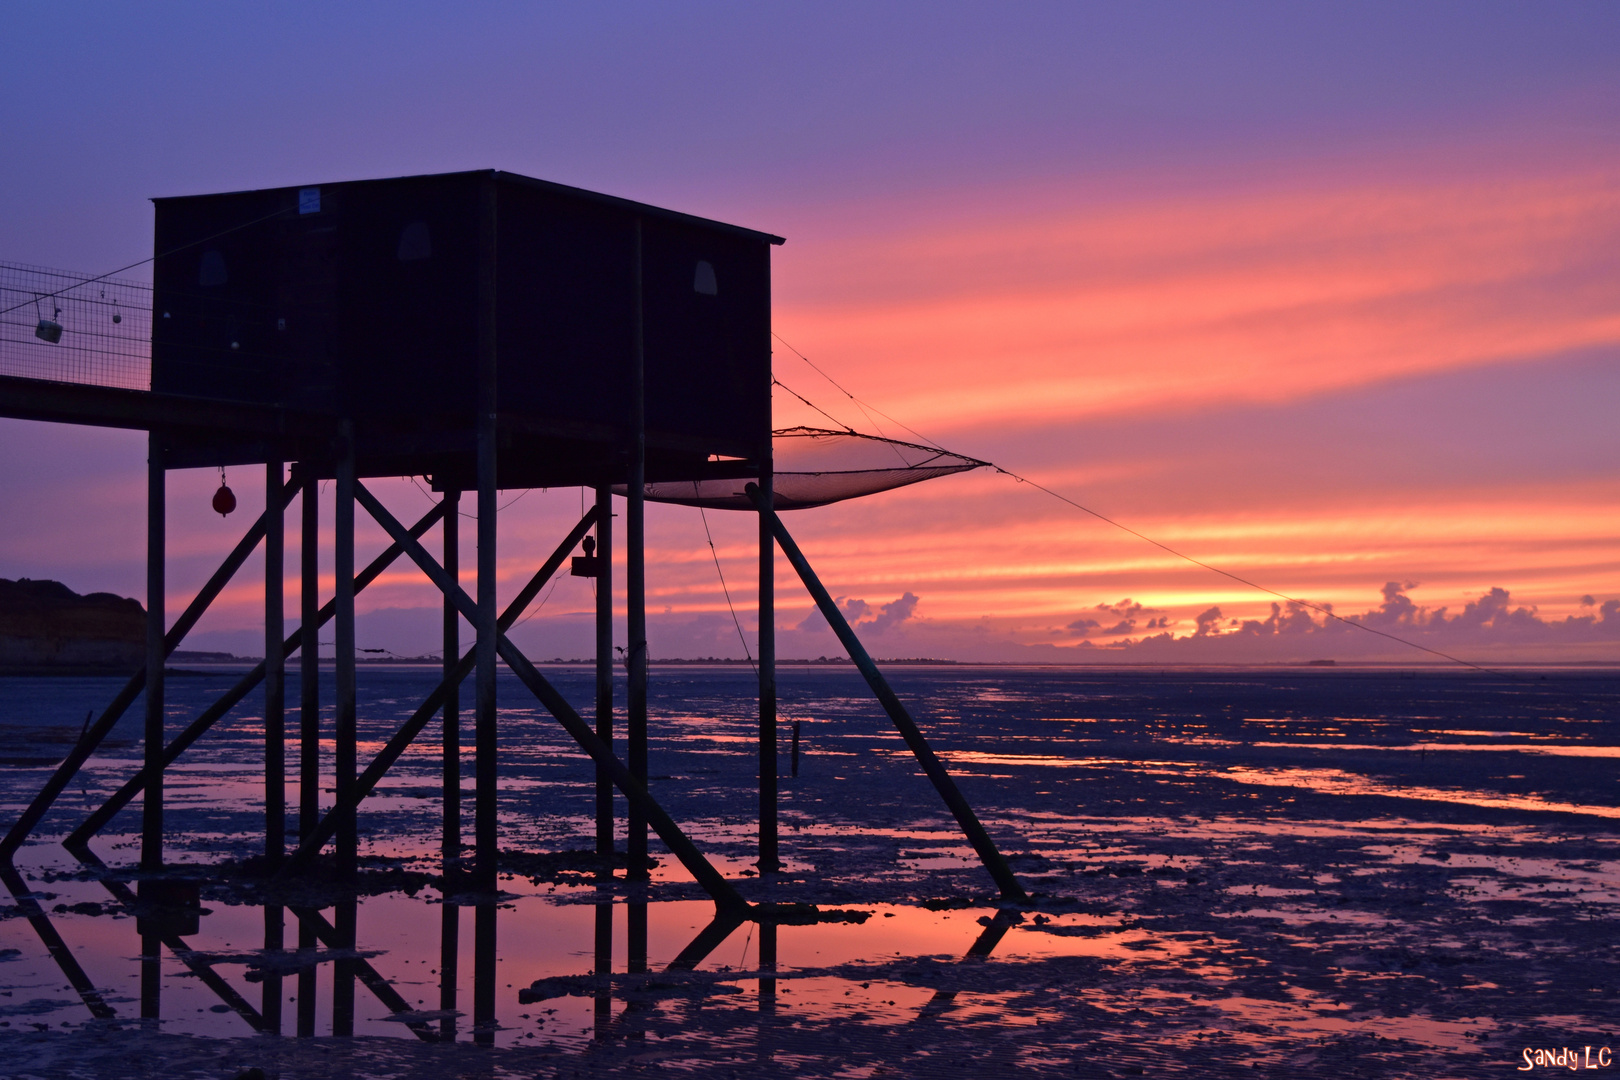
(816, 467)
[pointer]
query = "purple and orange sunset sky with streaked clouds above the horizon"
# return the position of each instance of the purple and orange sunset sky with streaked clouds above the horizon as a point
(1324, 296)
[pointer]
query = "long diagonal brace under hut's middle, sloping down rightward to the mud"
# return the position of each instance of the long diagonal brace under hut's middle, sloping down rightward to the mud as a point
(722, 891)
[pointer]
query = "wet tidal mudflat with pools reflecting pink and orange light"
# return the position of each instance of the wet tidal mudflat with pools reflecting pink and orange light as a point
(1266, 872)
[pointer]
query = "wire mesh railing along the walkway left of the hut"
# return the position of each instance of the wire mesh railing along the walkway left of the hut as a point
(75, 328)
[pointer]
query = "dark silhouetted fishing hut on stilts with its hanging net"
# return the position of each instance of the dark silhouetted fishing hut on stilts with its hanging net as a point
(485, 331)
